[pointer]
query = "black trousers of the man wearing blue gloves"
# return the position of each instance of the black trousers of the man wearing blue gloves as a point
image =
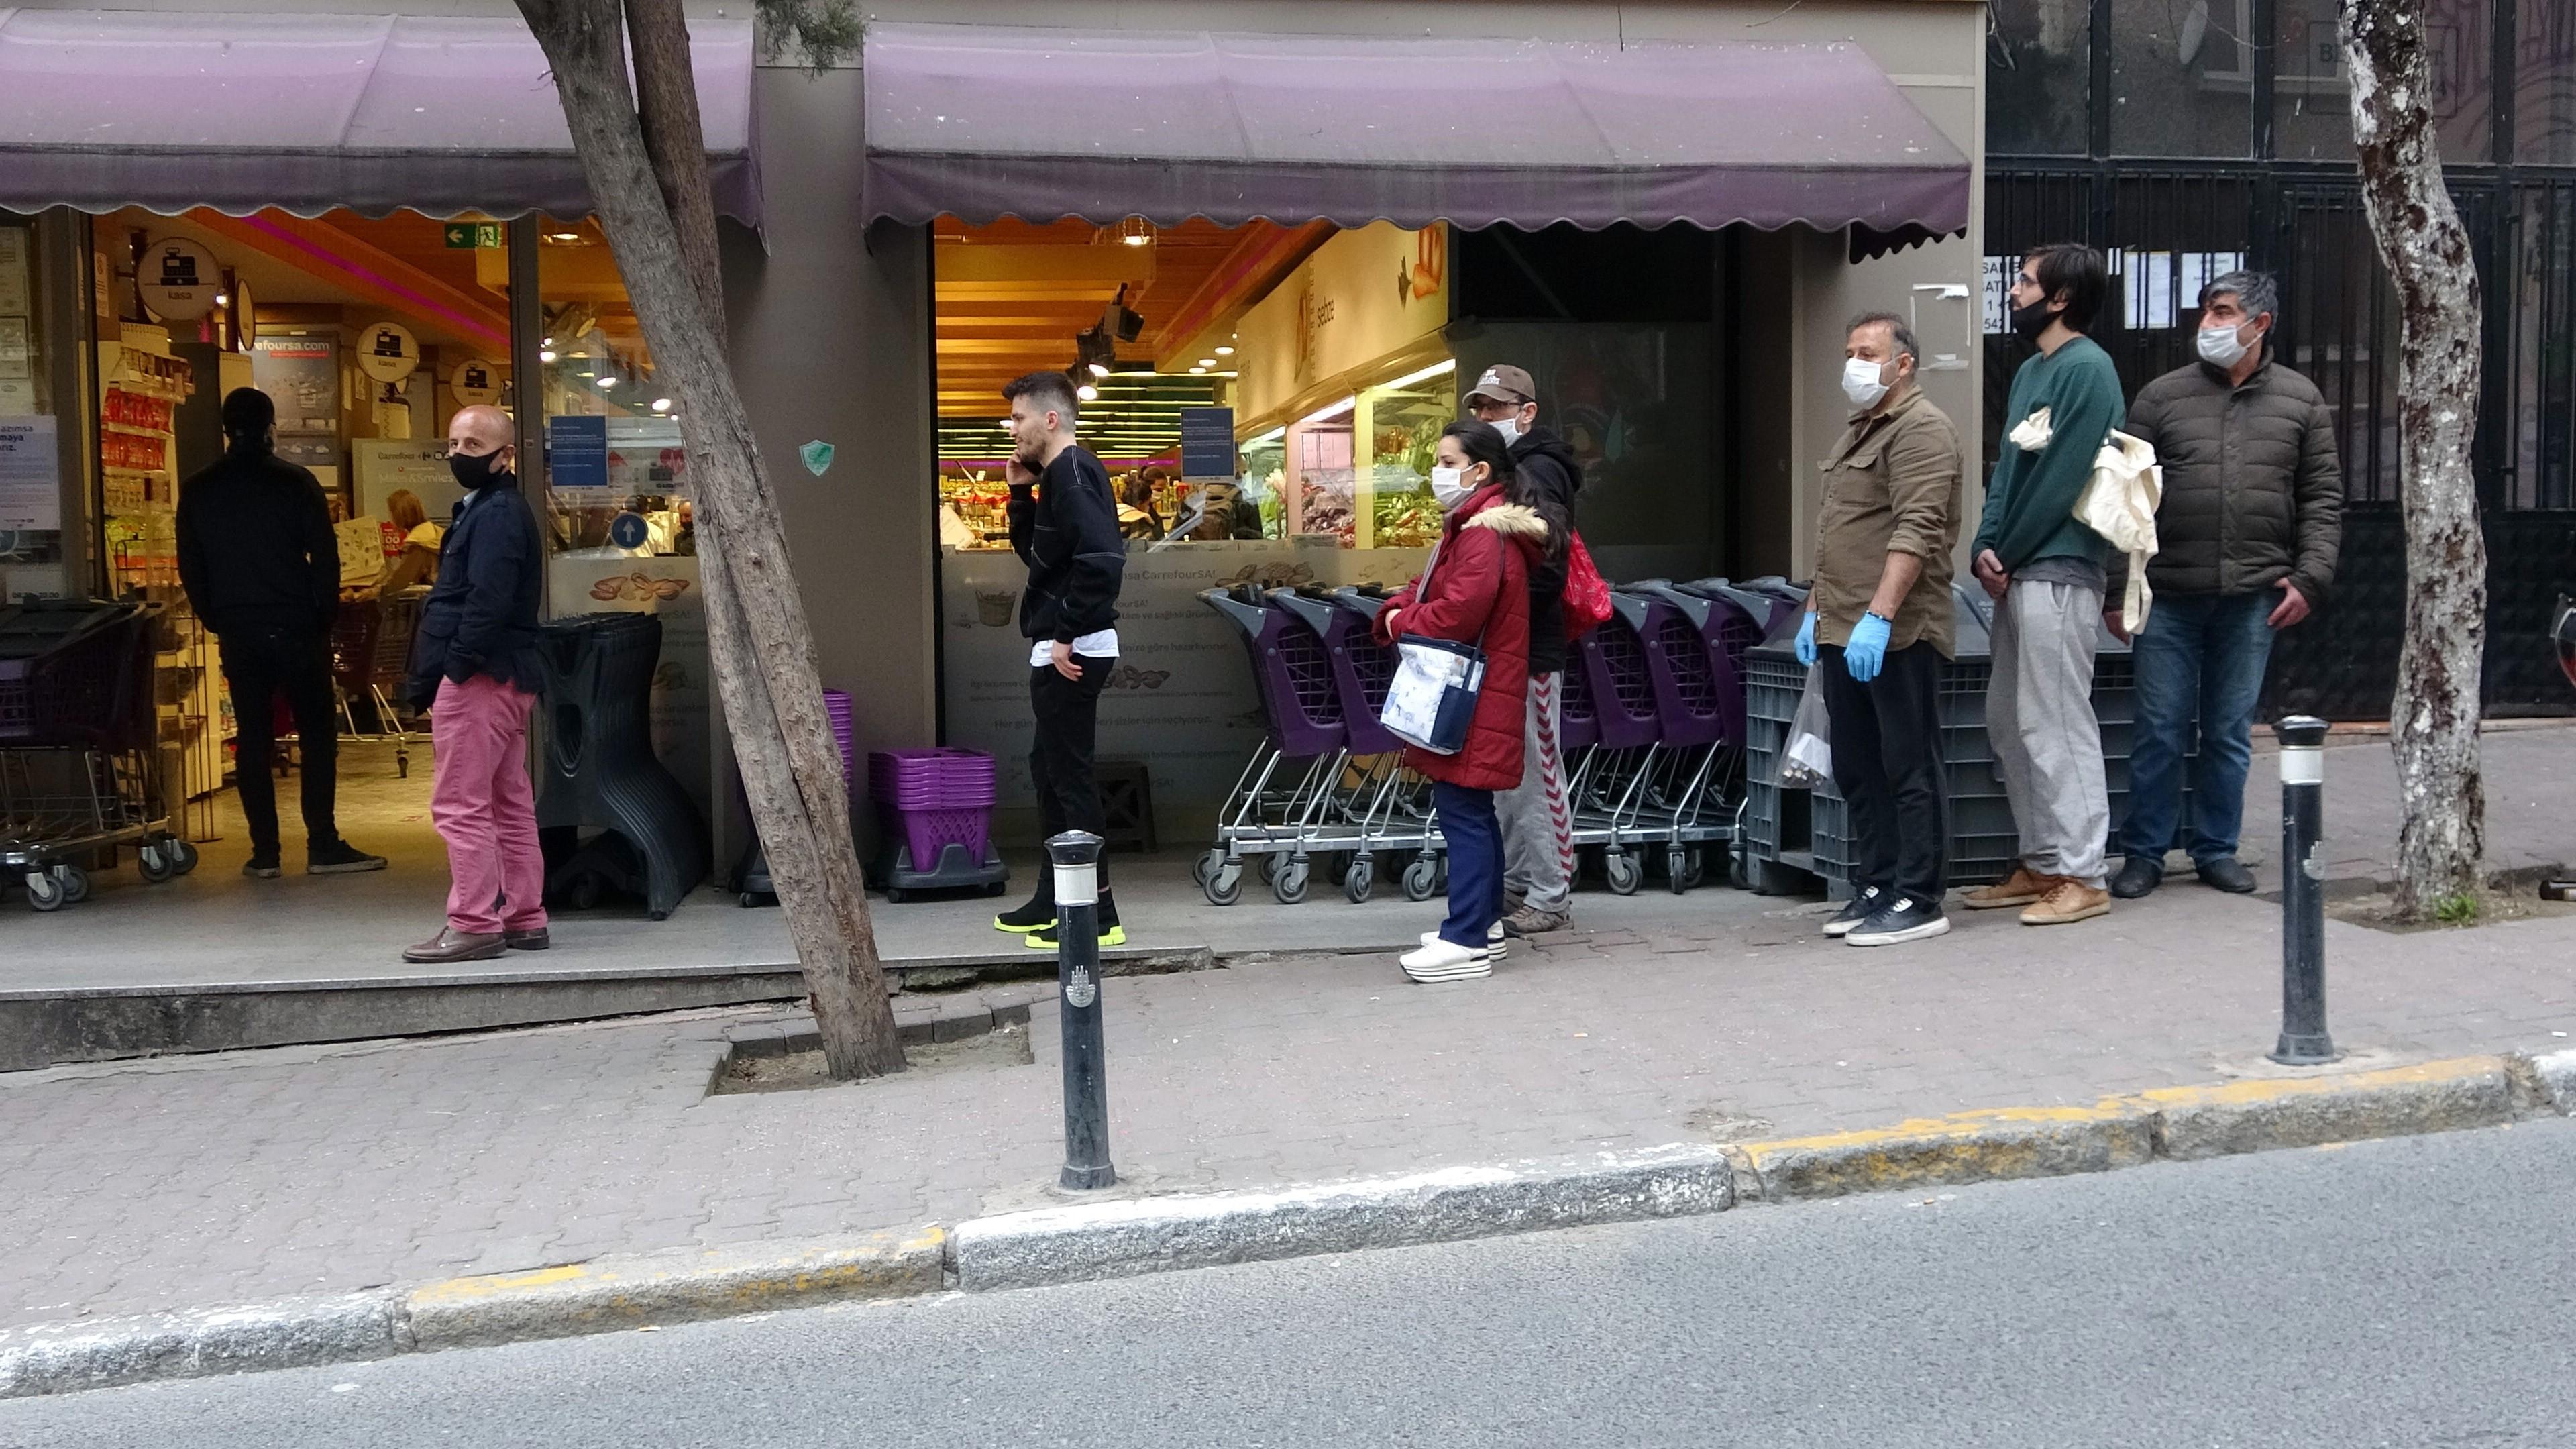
(1889, 770)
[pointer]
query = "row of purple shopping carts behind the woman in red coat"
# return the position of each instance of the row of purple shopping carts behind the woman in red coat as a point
(1653, 723)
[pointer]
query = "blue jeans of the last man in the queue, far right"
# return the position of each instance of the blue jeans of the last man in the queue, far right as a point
(2201, 664)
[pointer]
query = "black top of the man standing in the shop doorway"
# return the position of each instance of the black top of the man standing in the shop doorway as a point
(256, 548)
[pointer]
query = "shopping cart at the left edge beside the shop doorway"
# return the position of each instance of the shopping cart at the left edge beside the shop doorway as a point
(79, 749)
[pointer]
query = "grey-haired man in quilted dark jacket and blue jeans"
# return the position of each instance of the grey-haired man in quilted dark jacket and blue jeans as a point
(2245, 545)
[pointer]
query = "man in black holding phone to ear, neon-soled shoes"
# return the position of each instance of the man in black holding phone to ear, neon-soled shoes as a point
(1065, 530)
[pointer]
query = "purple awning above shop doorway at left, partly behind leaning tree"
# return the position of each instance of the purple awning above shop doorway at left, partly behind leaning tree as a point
(104, 110)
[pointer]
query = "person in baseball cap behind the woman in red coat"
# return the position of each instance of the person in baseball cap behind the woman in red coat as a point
(1537, 816)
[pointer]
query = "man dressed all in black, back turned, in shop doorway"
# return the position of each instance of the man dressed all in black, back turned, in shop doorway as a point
(261, 566)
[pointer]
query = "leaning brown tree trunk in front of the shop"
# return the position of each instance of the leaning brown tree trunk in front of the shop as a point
(653, 202)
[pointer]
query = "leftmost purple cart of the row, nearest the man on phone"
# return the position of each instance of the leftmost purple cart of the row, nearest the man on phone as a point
(1282, 803)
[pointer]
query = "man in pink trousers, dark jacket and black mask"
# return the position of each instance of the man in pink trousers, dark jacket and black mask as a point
(478, 672)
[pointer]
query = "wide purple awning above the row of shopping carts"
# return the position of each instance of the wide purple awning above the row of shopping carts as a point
(1029, 122)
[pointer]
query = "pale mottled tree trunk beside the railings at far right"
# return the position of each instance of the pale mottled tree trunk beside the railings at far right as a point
(2425, 249)
